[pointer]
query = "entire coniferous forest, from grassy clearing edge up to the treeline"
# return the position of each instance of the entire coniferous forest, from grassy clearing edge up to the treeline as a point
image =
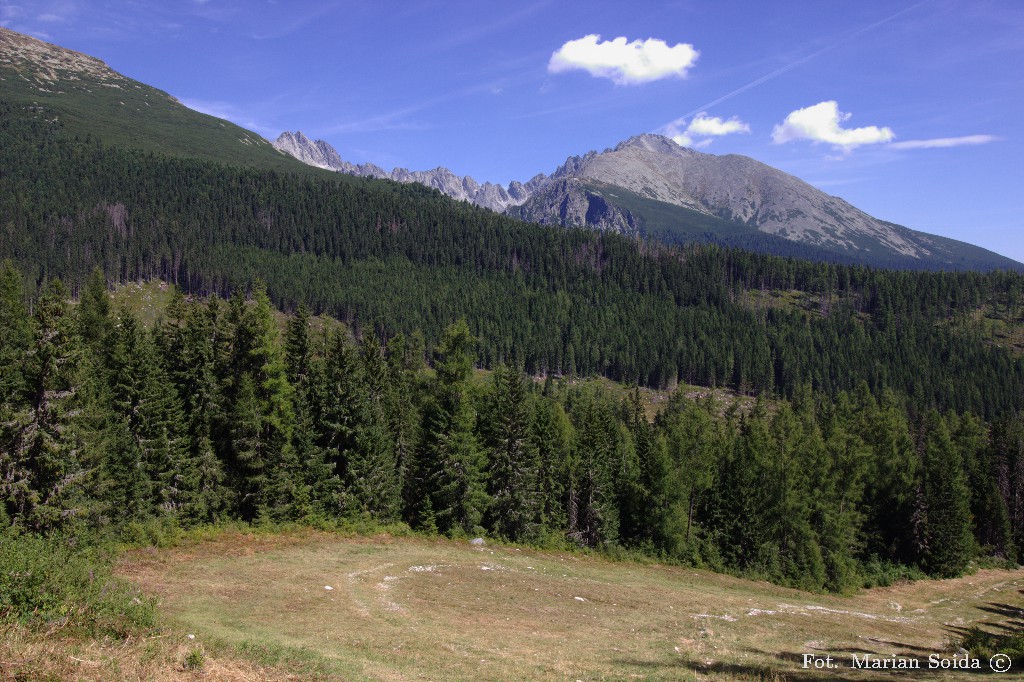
(877, 433)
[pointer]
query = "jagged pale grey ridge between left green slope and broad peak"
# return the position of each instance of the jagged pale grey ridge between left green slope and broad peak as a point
(490, 196)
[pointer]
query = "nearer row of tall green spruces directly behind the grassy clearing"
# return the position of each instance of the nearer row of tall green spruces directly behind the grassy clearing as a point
(216, 415)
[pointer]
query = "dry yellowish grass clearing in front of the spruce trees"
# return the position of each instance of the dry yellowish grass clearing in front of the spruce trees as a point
(413, 609)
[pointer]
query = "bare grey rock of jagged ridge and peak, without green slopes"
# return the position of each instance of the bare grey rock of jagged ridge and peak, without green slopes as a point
(732, 188)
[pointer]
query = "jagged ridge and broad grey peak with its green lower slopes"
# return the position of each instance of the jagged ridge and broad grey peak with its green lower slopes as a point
(651, 187)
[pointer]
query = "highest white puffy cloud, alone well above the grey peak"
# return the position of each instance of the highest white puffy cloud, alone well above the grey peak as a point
(625, 63)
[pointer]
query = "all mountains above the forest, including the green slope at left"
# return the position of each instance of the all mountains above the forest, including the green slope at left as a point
(646, 187)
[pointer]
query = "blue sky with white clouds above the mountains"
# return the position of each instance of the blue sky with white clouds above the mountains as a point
(911, 111)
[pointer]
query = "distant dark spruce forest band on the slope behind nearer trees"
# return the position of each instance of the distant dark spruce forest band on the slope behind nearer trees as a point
(392, 259)
